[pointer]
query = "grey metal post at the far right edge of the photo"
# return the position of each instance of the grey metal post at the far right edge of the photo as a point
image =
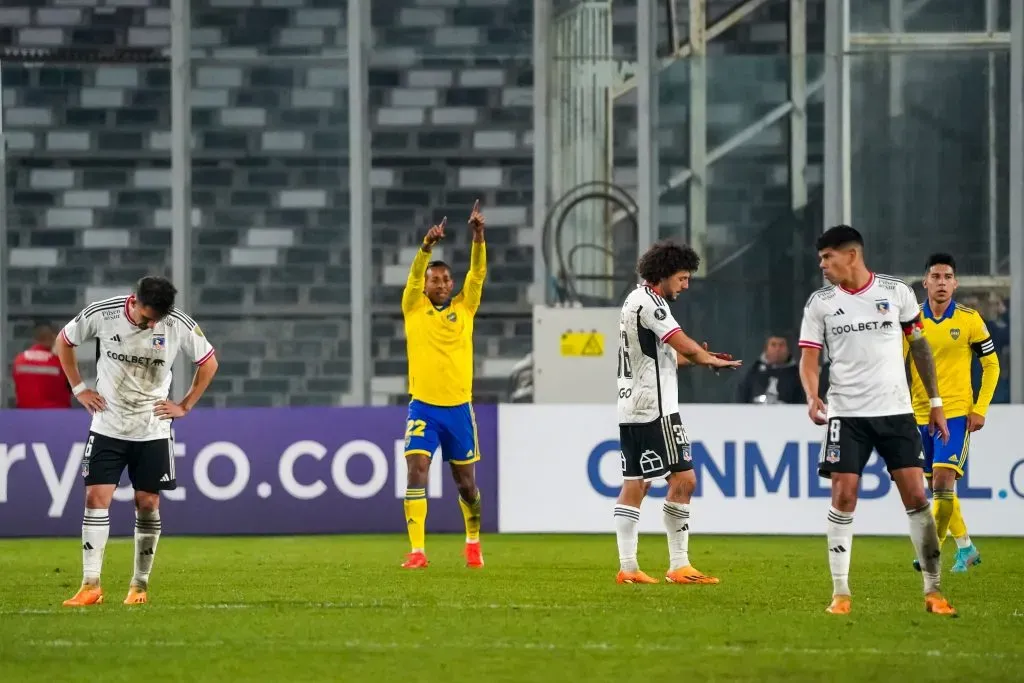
(1017, 202)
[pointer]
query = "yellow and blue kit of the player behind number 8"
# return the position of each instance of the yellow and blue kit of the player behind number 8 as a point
(956, 337)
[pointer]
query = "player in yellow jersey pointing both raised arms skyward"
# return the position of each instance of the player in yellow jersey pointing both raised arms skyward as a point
(440, 340)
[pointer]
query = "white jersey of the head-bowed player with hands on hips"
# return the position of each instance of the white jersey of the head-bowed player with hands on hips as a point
(134, 366)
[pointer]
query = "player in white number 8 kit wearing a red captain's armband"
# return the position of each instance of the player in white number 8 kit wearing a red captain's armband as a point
(860, 319)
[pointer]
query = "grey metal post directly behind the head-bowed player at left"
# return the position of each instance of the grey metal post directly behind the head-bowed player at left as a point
(182, 175)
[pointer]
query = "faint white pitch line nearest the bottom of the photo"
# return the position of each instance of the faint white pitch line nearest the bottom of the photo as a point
(505, 646)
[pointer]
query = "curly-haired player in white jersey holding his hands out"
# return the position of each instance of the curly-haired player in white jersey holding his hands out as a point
(655, 446)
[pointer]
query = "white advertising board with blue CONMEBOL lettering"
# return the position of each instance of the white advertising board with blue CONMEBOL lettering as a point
(757, 474)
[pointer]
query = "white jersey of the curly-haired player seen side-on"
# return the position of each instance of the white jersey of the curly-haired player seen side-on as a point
(649, 385)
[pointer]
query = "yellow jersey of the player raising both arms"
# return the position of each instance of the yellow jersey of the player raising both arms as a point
(441, 338)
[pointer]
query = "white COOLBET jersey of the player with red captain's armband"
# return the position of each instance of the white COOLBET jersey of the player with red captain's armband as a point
(864, 334)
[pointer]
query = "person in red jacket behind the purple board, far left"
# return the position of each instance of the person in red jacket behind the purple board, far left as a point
(39, 380)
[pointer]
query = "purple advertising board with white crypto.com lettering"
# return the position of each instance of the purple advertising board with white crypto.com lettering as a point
(312, 471)
